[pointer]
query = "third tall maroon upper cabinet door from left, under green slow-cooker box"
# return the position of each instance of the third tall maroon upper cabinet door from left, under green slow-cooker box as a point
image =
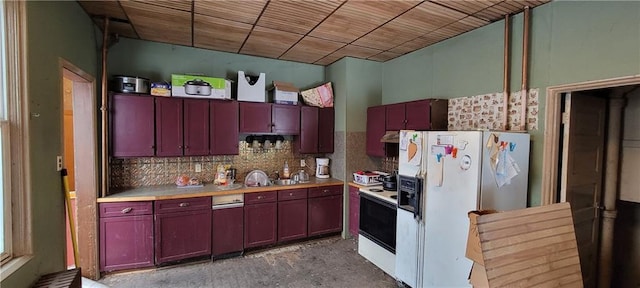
(196, 127)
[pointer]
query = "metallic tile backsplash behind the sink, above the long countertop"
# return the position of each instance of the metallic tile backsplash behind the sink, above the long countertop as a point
(145, 171)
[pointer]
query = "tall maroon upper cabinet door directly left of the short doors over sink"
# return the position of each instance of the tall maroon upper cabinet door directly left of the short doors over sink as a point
(224, 128)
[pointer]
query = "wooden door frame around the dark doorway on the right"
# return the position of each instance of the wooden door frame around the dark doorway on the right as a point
(552, 130)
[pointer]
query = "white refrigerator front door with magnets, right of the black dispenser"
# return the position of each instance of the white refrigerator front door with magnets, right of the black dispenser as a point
(453, 181)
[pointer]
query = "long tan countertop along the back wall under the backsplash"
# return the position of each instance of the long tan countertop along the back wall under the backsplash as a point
(163, 192)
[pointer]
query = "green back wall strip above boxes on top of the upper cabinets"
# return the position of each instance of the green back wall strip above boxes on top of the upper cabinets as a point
(158, 61)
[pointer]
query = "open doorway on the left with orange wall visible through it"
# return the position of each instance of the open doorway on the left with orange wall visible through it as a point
(80, 159)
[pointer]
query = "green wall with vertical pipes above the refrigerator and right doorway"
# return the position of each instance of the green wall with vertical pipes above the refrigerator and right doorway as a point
(570, 42)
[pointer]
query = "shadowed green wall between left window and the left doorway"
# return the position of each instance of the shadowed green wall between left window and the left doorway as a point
(55, 30)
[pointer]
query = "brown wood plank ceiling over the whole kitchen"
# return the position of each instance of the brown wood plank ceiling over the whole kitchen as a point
(316, 32)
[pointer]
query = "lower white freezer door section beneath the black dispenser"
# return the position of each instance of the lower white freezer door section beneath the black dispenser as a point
(406, 248)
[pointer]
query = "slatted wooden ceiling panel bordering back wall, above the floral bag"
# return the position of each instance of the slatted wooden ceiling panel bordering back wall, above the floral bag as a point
(310, 50)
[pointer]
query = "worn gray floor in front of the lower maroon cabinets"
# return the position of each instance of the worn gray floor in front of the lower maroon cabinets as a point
(329, 262)
